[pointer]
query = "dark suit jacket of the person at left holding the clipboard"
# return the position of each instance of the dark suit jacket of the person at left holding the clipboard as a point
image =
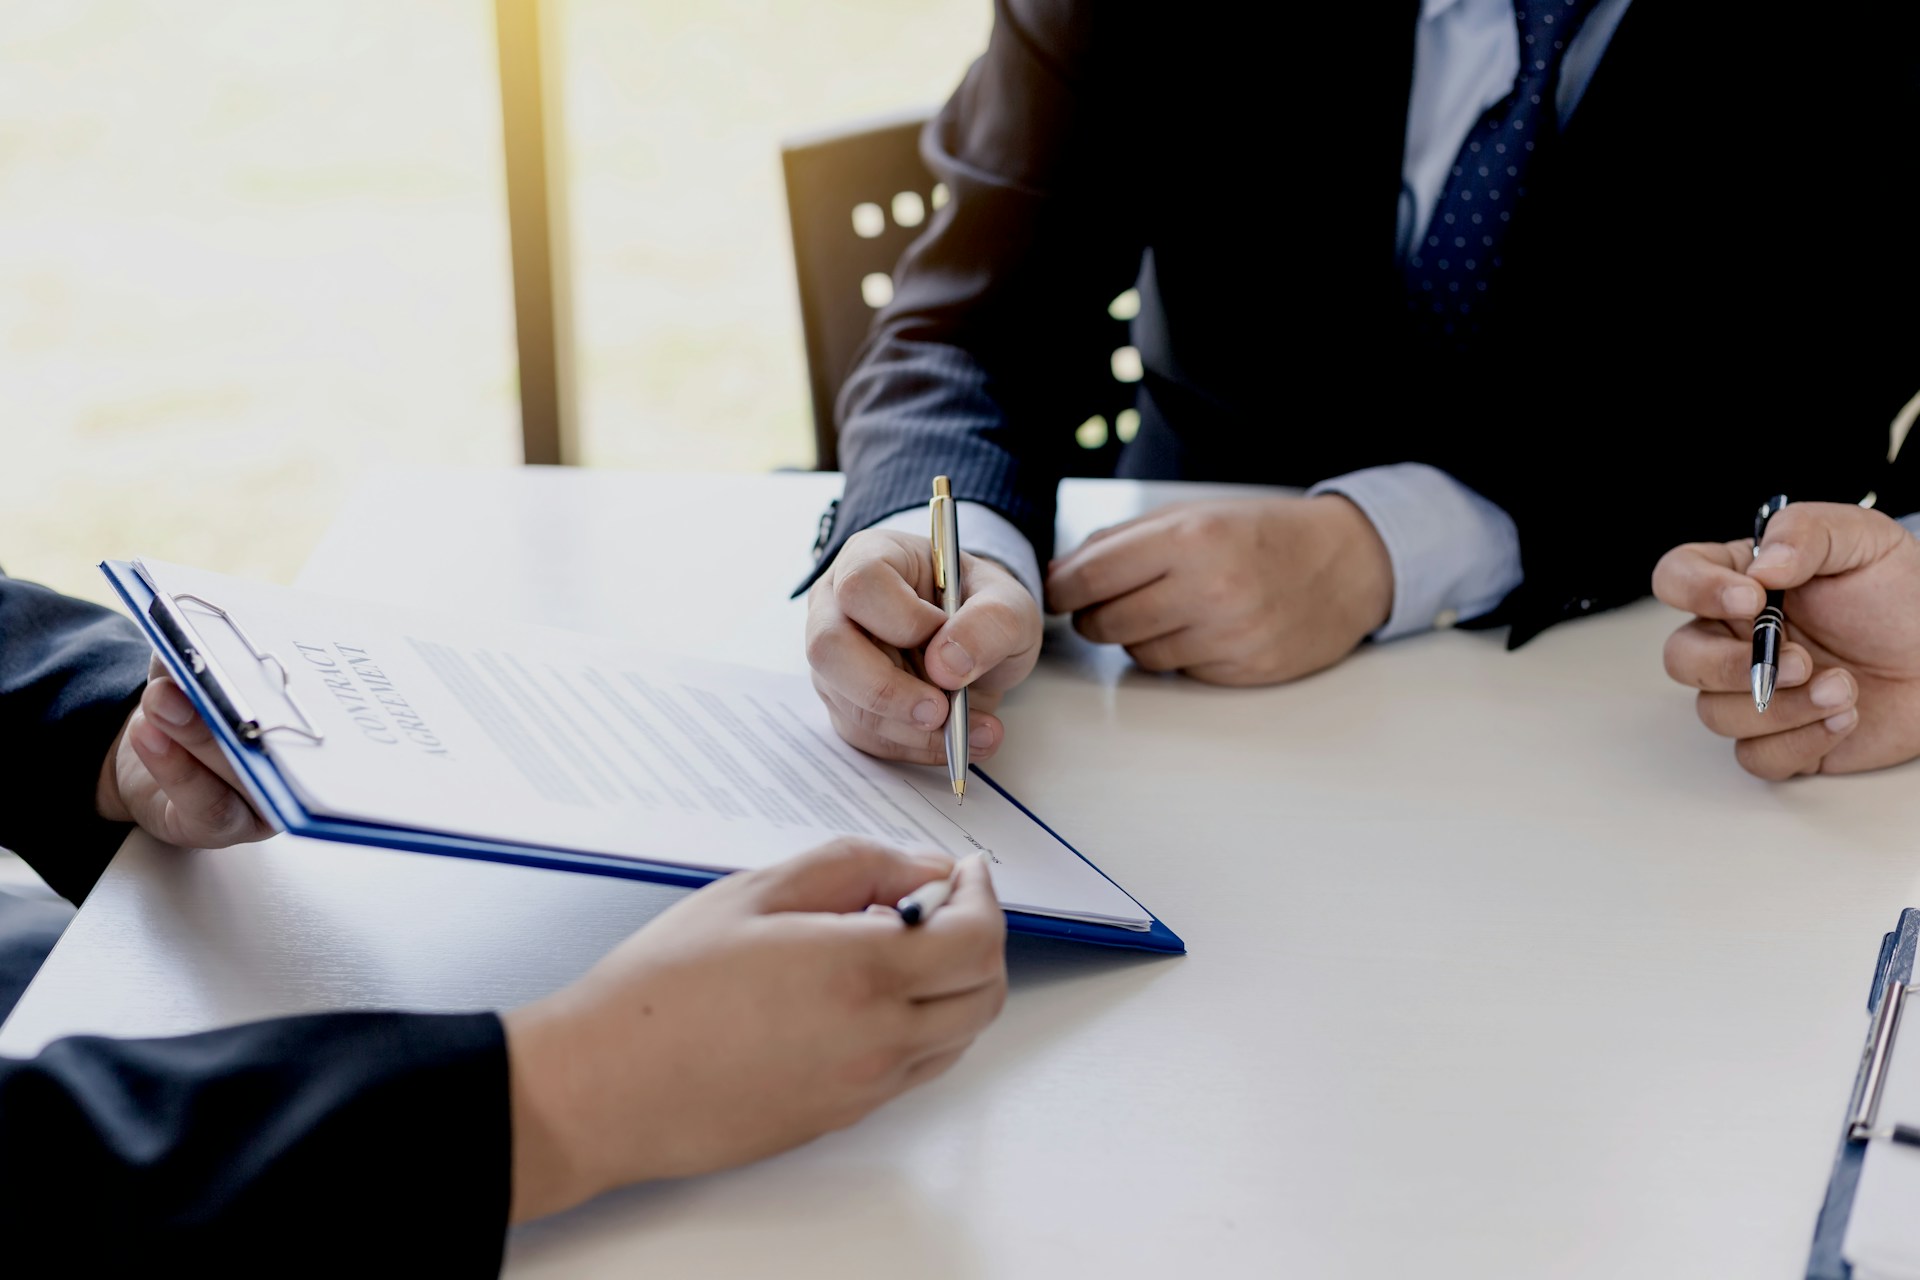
(343, 1143)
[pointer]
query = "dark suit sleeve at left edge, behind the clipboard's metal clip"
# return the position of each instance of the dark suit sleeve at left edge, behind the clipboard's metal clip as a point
(70, 676)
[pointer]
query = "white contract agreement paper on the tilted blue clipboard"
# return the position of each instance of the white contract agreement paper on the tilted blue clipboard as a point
(481, 728)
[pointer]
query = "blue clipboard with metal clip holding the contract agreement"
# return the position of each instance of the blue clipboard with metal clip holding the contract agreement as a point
(172, 627)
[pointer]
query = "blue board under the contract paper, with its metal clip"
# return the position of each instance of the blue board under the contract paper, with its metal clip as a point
(276, 799)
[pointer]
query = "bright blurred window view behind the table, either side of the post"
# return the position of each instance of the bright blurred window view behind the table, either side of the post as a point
(251, 250)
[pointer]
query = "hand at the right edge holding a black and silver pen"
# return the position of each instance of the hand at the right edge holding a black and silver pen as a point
(1848, 694)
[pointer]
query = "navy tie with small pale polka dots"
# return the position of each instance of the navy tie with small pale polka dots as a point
(1452, 268)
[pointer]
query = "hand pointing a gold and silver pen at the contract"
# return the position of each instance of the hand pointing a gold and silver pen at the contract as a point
(884, 655)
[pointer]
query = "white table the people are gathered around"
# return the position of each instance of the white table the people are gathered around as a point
(1499, 964)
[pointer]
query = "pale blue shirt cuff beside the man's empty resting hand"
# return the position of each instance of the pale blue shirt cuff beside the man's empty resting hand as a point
(1454, 554)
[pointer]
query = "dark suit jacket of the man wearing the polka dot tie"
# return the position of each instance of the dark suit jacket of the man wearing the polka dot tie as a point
(1708, 295)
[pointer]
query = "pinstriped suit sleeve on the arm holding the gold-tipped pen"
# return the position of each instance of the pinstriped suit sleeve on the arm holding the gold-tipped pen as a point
(965, 362)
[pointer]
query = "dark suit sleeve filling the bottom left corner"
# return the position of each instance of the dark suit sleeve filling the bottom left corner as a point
(333, 1145)
